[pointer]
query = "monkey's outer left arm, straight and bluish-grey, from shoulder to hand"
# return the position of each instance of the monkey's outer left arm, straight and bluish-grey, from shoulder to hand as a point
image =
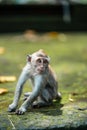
(23, 77)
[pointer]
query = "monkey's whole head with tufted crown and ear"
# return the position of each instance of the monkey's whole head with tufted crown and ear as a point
(39, 61)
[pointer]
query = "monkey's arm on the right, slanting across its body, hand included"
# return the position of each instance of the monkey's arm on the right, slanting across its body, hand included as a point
(39, 84)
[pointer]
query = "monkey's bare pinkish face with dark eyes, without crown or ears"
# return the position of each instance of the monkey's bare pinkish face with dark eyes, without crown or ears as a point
(40, 64)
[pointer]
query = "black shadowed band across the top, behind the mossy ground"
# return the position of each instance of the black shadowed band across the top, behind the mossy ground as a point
(42, 18)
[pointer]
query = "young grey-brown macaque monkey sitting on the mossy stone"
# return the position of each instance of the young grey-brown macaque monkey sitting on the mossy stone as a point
(45, 87)
